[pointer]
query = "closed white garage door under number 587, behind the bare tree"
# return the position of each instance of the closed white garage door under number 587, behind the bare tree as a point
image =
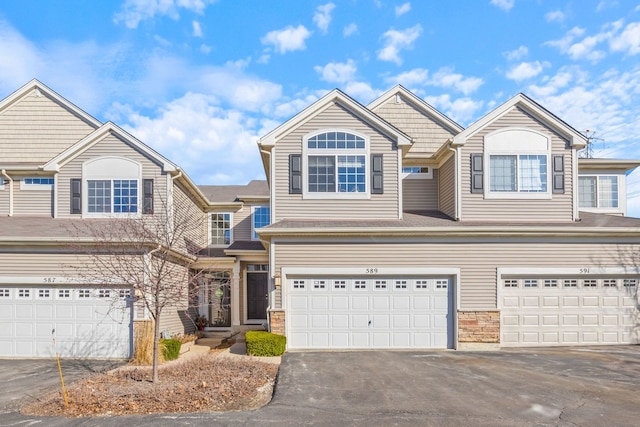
(87, 323)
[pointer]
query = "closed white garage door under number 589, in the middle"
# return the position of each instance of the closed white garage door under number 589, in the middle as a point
(367, 313)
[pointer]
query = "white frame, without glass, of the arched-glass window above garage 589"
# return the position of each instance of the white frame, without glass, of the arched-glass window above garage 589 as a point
(335, 153)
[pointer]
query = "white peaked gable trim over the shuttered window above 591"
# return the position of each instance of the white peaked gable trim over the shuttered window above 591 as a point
(576, 139)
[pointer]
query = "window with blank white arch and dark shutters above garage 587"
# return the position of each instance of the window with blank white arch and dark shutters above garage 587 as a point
(111, 186)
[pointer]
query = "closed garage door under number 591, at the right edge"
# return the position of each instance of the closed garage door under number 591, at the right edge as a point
(569, 311)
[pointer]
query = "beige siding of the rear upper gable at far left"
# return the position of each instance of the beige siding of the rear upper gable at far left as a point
(35, 129)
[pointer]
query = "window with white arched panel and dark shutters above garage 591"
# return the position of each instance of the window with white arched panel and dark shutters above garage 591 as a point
(517, 163)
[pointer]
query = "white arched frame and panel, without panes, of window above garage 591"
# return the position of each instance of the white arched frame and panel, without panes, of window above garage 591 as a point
(518, 142)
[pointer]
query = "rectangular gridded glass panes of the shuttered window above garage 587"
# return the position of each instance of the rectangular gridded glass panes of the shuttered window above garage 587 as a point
(112, 196)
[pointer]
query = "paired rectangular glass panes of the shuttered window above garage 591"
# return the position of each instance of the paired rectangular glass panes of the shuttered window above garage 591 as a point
(525, 173)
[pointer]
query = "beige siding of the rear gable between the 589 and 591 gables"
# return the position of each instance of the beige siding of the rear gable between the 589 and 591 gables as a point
(428, 135)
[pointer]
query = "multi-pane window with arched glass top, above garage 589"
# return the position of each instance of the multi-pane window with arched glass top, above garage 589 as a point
(336, 164)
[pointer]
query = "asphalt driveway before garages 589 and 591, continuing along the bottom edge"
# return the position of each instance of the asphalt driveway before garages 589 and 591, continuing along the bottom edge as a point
(524, 387)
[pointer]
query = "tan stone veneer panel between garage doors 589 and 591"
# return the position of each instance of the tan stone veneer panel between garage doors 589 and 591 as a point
(478, 328)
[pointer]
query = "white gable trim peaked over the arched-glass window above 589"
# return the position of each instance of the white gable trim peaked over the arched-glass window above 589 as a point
(335, 96)
